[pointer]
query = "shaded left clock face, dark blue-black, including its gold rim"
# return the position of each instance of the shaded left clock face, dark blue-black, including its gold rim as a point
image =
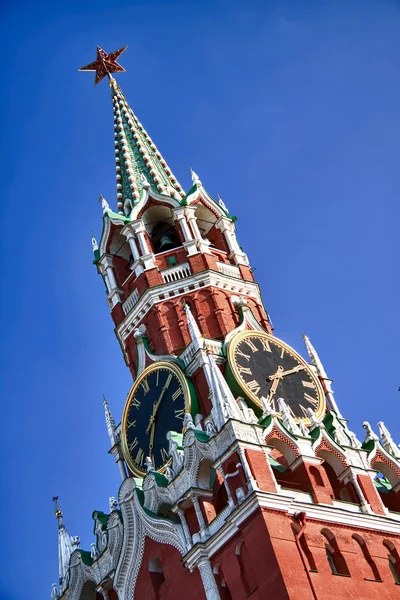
(156, 404)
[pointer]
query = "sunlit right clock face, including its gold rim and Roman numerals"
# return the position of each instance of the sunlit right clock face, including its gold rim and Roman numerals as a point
(267, 367)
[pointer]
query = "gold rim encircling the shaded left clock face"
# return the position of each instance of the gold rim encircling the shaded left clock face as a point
(186, 392)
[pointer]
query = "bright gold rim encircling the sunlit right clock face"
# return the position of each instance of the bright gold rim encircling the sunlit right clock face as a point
(261, 334)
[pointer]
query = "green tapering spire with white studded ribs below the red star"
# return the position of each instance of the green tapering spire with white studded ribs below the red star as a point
(138, 162)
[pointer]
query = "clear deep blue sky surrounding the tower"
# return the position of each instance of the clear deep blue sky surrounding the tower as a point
(289, 110)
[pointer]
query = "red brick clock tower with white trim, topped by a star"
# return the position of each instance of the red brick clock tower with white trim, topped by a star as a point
(240, 476)
